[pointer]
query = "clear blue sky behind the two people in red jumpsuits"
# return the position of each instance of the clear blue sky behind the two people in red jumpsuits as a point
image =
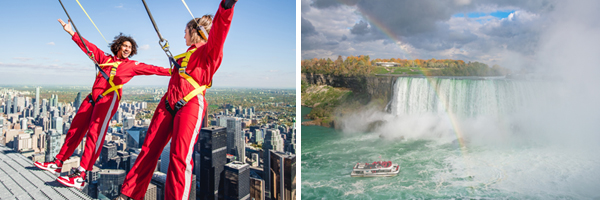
(260, 50)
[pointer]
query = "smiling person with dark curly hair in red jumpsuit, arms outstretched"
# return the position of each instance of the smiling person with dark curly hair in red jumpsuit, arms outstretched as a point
(98, 107)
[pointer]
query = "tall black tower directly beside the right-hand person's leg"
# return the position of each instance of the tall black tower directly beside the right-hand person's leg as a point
(213, 151)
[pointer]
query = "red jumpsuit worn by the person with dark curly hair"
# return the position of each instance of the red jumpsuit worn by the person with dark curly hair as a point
(95, 114)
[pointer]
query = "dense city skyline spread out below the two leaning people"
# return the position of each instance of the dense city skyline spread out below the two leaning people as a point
(38, 138)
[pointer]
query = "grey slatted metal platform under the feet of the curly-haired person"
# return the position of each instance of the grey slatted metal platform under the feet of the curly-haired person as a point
(19, 179)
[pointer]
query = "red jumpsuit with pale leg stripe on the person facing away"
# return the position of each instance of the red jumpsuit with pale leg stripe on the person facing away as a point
(182, 128)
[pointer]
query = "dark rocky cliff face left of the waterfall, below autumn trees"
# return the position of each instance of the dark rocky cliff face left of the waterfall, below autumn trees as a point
(378, 87)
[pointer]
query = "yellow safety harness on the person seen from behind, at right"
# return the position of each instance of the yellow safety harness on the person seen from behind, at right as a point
(198, 89)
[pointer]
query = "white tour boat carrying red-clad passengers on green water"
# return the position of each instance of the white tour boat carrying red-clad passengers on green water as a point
(375, 169)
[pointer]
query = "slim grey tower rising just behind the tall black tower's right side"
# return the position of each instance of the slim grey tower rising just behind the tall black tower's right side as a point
(235, 138)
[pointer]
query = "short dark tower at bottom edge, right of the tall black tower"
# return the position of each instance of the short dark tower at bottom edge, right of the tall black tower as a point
(237, 181)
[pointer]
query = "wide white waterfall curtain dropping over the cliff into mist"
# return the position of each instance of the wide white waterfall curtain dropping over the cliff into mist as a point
(465, 98)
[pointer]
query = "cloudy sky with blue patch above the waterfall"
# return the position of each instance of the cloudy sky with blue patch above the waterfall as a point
(511, 33)
